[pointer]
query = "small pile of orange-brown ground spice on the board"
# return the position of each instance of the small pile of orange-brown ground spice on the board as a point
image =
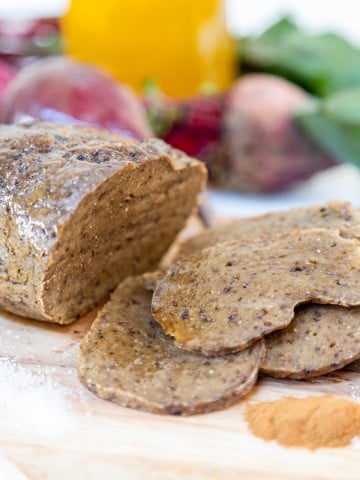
(312, 422)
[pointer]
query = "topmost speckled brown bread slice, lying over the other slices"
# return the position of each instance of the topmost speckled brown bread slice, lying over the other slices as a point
(224, 297)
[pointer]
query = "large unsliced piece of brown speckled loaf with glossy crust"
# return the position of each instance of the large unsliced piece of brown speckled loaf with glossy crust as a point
(81, 209)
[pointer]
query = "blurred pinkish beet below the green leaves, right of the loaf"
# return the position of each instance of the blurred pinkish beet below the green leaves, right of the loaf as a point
(264, 151)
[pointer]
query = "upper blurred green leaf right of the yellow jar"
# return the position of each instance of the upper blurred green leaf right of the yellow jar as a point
(322, 64)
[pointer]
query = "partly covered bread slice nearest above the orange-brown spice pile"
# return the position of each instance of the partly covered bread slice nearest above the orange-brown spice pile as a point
(320, 339)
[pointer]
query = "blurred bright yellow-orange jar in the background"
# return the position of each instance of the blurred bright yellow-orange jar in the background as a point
(181, 45)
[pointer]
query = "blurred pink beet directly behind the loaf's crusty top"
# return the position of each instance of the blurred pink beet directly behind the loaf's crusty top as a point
(66, 91)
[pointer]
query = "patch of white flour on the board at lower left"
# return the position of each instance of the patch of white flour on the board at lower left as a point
(33, 403)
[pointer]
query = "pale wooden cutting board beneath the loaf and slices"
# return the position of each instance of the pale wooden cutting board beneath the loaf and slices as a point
(51, 427)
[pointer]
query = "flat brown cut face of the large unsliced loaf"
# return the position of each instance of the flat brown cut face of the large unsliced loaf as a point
(122, 228)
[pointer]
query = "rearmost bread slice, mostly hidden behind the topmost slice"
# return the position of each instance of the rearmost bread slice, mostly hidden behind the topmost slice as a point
(334, 216)
